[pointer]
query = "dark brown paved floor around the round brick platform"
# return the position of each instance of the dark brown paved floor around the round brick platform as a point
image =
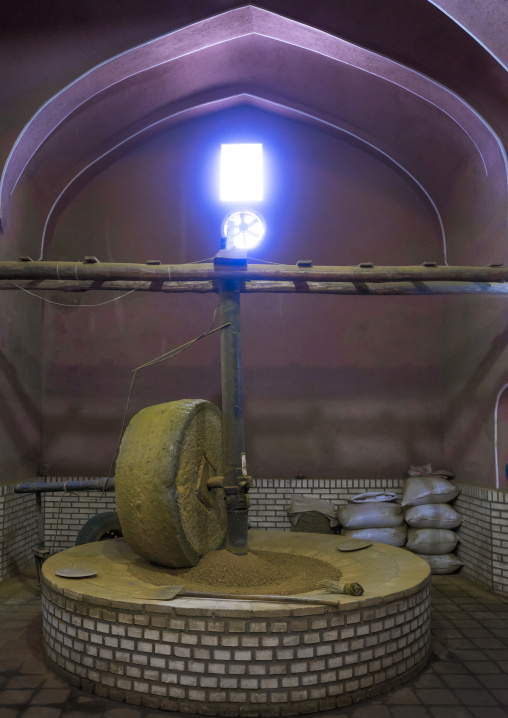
(467, 676)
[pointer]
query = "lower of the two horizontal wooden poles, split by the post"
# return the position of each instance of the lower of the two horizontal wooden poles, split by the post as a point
(254, 287)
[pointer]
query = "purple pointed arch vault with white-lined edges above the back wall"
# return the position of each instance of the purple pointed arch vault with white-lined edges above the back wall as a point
(252, 56)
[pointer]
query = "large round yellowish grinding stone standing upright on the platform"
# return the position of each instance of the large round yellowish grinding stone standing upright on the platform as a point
(168, 452)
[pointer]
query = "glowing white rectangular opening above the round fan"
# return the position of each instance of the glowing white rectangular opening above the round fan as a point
(241, 173)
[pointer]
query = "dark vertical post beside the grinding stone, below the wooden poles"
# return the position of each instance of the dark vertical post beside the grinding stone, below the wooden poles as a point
(233, 442)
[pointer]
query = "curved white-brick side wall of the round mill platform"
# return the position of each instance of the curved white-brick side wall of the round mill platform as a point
(231, 662)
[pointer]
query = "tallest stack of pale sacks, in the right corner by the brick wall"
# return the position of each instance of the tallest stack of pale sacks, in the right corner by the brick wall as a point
(430, 517)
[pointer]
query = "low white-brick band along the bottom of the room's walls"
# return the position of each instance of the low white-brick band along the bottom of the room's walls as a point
(484, 533)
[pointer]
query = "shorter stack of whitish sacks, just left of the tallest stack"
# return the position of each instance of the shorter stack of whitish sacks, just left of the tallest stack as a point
(372, 516)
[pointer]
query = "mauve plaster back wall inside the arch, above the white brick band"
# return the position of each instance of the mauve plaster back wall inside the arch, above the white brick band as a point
(334, 386)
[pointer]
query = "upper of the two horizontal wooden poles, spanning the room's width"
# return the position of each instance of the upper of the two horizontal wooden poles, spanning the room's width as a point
(107, 271)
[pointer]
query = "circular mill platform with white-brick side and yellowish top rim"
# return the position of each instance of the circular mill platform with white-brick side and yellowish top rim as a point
(238, 658)
